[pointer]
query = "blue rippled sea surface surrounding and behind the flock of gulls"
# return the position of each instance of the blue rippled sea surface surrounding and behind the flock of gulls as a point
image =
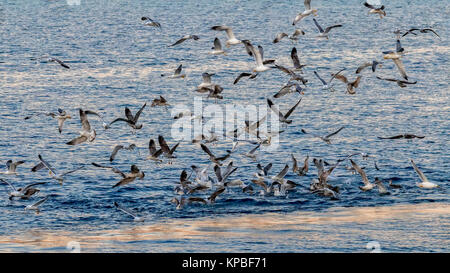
(116, 62)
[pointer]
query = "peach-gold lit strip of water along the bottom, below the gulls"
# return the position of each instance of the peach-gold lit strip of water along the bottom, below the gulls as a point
(419, 227)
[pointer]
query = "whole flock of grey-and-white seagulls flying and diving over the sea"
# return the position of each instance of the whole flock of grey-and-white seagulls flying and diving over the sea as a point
(191, 188)
